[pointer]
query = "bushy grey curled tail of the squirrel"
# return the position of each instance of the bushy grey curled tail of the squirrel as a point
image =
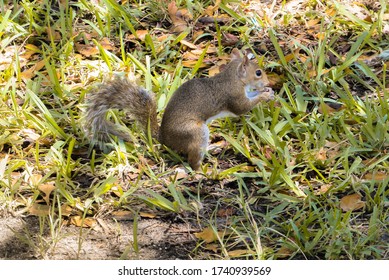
(123, 95)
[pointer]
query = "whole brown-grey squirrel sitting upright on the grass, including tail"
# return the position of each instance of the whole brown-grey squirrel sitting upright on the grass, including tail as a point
(232, 92)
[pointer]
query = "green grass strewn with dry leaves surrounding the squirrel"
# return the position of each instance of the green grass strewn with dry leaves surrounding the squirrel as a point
(274, 192)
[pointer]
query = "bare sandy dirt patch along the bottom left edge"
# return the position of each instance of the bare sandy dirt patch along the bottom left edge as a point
(20, 239)
